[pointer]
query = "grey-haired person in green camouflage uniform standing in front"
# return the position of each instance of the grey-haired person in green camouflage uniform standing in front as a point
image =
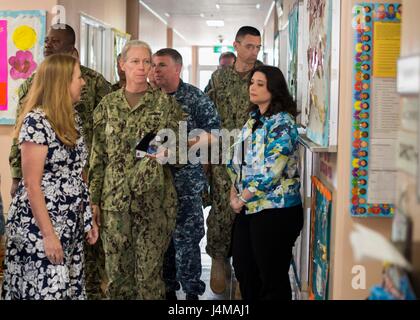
(134, 195)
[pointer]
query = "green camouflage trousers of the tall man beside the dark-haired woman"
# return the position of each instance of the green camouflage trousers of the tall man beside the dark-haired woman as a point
(221, 216)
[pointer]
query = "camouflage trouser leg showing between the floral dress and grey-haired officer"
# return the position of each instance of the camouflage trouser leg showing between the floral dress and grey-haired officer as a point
(94, 269)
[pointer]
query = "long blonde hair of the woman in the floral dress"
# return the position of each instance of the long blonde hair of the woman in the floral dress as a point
(50, 91)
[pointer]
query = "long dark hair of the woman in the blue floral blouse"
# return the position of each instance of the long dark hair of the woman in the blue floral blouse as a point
(281, 99)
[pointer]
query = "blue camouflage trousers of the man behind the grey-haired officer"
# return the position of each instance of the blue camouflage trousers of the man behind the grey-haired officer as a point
(183, 257)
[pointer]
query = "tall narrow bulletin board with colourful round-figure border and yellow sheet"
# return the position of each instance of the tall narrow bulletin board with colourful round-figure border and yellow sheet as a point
(375, 108)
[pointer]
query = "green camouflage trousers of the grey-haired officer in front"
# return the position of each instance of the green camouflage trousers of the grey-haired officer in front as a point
(134, 244)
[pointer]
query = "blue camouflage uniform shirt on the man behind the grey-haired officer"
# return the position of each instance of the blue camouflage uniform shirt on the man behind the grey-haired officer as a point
(203, 115)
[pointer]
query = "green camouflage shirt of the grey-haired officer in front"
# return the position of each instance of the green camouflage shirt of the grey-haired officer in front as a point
(116, 176)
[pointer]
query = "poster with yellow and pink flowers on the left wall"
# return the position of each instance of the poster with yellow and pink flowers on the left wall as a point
(22, 36)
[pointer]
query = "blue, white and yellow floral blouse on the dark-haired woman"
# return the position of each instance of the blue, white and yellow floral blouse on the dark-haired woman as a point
(265, 161)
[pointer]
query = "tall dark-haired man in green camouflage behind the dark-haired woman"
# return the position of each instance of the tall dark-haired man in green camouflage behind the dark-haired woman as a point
(228, 88)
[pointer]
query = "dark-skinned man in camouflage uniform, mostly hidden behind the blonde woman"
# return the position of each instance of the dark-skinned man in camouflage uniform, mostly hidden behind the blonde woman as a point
(61, 39)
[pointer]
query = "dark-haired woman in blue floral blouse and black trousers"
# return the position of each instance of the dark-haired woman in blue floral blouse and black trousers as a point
(265, 191)
